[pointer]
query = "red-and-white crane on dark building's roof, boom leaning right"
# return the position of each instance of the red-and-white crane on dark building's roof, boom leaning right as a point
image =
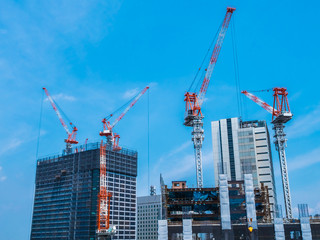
(112, 137)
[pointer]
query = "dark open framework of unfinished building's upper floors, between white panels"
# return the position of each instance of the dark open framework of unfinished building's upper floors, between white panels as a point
(204, 203)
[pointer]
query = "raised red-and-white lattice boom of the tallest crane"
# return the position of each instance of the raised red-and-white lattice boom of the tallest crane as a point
(215, 54)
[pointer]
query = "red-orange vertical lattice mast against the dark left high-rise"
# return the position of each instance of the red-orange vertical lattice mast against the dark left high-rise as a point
(104, 197)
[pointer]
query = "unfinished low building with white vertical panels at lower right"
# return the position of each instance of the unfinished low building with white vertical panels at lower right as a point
(234, 210)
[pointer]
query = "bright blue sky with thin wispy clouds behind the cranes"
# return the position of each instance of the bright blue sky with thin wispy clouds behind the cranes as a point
(93, 55)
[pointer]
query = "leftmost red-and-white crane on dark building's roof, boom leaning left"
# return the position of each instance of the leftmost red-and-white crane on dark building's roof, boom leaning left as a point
(71, 134)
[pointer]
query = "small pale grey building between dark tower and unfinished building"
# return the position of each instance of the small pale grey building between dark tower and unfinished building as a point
(148, 214)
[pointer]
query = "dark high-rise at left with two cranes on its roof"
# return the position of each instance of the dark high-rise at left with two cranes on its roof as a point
(66, 194)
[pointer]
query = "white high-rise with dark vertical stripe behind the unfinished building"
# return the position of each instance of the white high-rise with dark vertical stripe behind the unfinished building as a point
(243, 148)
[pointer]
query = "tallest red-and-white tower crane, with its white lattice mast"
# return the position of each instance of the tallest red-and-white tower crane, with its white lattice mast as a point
(193, 114)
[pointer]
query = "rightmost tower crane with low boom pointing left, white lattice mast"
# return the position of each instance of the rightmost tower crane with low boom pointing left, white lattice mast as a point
(281, 114)
